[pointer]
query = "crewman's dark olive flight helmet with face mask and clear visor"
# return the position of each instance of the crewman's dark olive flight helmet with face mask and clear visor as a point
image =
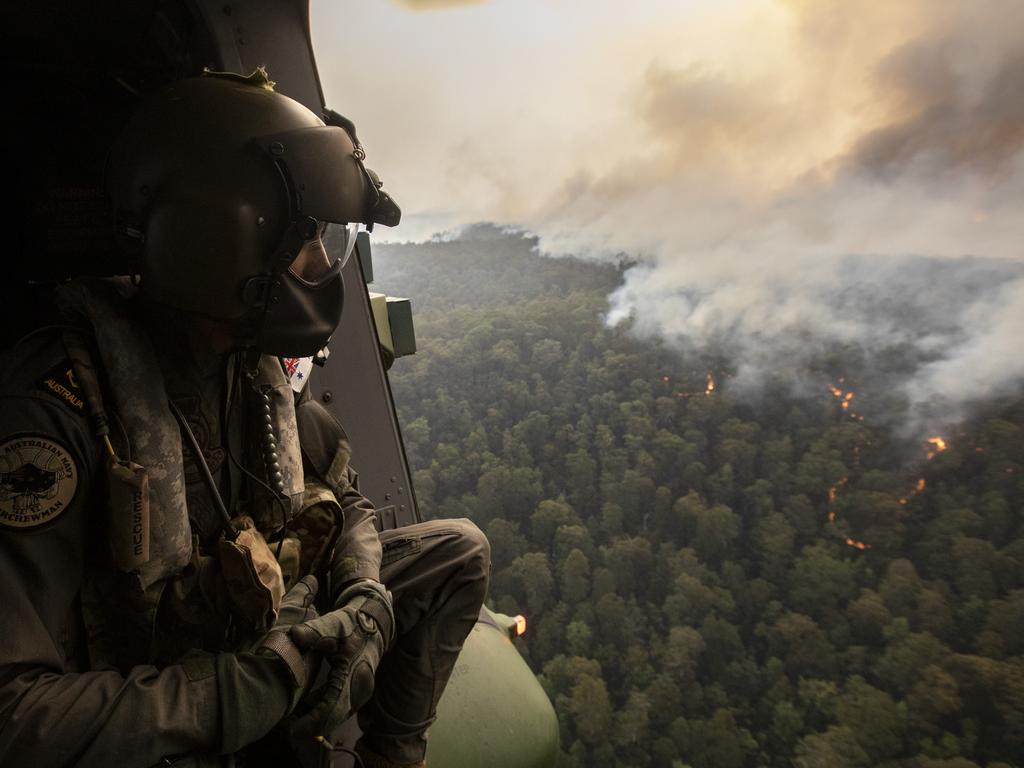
(226, 191)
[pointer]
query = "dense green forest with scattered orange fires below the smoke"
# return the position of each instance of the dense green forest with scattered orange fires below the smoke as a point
(713, 581)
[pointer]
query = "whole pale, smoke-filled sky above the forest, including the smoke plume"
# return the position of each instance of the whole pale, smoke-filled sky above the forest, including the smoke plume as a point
(757, 158)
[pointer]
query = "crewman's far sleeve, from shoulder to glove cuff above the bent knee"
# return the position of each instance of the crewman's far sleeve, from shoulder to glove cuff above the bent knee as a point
(327, 452)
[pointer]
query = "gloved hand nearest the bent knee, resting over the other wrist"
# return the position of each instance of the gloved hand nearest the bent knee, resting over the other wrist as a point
(353, 638)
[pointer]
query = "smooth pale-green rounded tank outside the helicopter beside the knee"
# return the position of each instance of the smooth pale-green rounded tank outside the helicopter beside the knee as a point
(494, 712)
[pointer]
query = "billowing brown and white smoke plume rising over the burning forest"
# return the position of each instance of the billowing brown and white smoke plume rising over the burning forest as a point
(815, 206)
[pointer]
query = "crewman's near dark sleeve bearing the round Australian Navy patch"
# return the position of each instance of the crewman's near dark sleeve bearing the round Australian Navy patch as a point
(55, 712)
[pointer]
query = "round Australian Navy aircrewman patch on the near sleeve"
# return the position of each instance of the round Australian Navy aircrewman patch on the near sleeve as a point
(38, 480)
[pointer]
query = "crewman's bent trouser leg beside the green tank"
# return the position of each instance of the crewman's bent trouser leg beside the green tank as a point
(438, 574)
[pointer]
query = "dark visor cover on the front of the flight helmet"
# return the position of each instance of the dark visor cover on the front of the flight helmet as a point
(326, 180)
